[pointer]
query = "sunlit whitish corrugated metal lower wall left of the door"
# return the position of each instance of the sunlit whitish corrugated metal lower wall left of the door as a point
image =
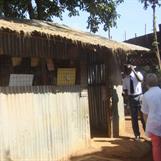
(42, 123)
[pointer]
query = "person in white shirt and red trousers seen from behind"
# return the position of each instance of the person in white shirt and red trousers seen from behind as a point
(151, 107)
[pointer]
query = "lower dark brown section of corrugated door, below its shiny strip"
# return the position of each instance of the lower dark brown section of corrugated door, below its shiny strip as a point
(98, 112)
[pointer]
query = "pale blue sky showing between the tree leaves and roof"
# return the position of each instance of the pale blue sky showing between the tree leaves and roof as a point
(132, 21)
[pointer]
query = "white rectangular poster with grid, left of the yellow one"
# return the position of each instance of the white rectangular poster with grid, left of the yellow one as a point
(21, 79)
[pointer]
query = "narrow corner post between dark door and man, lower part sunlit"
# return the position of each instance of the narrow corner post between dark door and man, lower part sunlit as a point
(117, 106)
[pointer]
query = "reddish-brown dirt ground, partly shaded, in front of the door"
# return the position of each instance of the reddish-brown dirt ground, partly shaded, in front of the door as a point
(124, 148)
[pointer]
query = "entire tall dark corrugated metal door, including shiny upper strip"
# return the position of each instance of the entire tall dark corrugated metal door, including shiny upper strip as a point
(98, 96)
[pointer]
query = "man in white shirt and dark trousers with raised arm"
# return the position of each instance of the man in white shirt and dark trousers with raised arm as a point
(132, 87)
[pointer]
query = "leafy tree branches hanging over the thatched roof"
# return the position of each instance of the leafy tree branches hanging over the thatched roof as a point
(100, 11)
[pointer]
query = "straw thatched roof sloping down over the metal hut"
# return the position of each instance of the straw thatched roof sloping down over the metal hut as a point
(54, 29)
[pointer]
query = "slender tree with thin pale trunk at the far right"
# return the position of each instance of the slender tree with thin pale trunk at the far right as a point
(153, 4)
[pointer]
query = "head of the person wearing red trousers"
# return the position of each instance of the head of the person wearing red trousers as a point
(151, 80)
